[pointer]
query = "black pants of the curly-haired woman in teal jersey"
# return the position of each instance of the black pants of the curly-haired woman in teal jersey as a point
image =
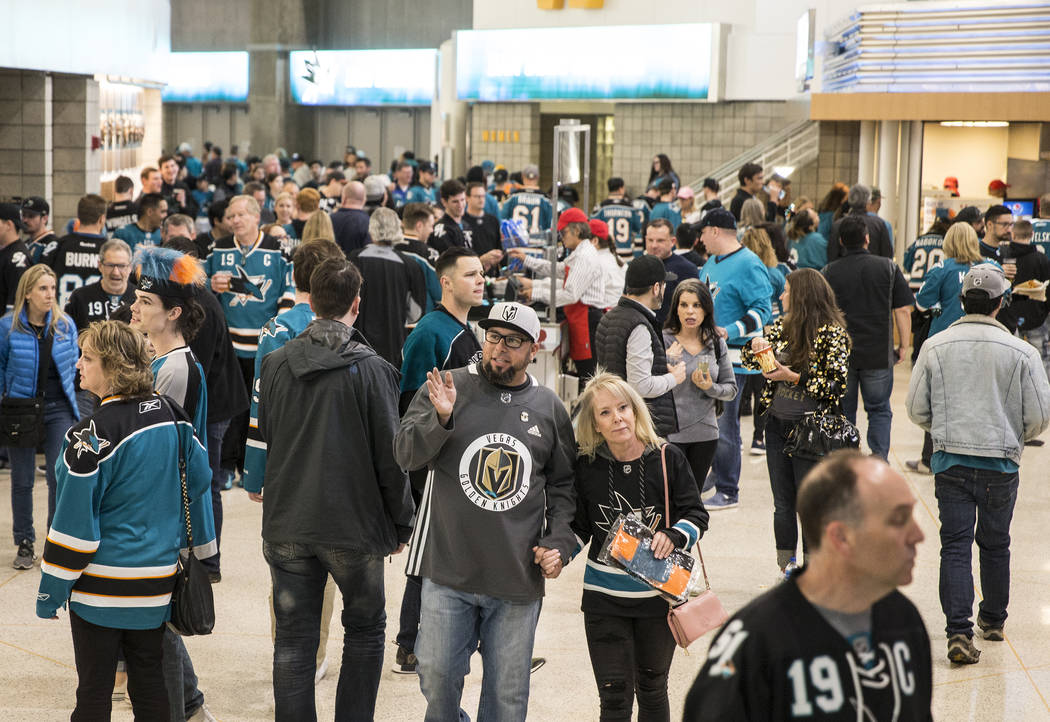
(95, 649)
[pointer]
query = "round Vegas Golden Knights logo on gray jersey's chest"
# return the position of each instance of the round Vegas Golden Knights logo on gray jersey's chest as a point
(496, 472)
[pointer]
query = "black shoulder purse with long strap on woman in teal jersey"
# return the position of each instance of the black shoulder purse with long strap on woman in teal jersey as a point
(193, 603)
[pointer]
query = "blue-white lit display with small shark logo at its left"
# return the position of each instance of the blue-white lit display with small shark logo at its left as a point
(406, 77)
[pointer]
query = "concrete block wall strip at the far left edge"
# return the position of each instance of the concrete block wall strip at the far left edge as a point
(26, 134)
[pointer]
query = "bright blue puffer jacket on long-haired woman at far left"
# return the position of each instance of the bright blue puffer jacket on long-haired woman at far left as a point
(19, 362)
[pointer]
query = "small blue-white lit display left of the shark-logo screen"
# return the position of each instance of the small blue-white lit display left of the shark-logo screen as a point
(207, 78)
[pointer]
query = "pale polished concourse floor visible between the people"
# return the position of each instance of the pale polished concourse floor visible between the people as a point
(1011, 684)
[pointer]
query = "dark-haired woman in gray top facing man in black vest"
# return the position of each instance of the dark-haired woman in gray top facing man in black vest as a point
(690, 336)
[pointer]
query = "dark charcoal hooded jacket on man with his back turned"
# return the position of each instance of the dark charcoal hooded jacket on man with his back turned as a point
(328, 414)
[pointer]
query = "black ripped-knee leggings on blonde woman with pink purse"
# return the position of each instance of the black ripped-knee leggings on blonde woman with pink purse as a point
(631, 657)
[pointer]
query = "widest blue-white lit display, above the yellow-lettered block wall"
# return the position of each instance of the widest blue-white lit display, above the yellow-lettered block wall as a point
(574, 63)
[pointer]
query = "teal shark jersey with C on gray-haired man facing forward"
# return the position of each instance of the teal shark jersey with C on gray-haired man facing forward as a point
(261, 288)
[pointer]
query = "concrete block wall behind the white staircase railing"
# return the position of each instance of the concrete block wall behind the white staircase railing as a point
(697, 137)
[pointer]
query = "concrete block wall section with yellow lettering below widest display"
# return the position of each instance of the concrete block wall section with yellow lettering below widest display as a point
(488, 120)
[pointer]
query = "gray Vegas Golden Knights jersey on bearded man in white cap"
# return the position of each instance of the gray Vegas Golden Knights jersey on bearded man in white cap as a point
(500, 482)
